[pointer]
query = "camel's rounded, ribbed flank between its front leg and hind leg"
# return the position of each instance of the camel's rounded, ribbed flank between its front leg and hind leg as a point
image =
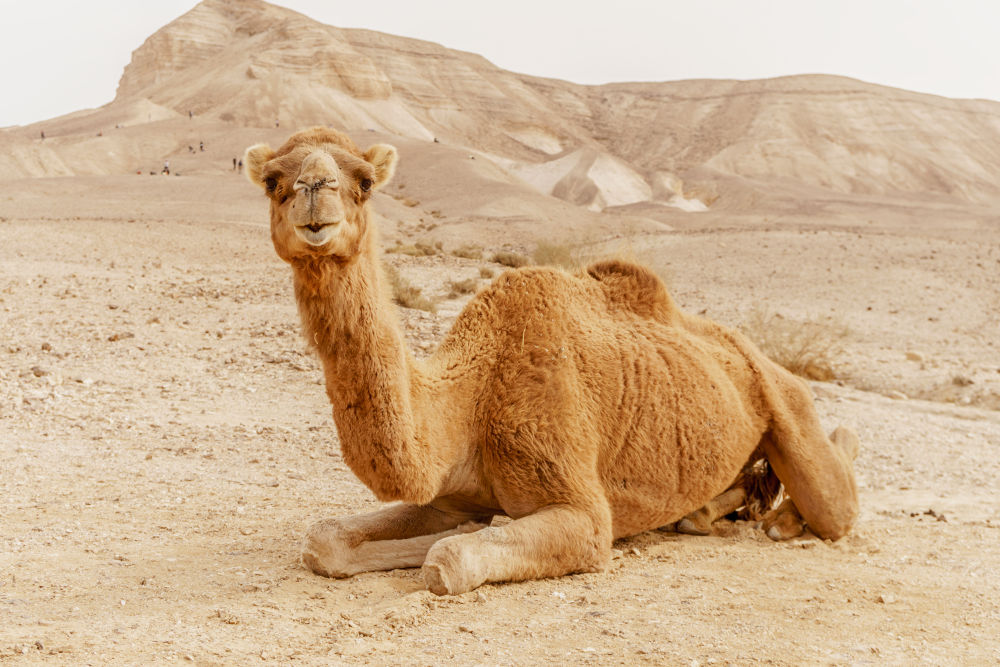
(688, 423)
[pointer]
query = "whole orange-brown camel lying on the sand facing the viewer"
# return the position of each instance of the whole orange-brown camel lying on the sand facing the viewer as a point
(586, 407)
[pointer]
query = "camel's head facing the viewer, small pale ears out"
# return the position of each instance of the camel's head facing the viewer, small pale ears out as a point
(319, 184)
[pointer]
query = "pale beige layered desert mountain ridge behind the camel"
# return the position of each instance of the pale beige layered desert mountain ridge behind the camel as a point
(731, 145)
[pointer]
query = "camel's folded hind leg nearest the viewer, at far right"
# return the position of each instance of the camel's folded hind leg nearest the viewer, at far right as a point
(817, 471)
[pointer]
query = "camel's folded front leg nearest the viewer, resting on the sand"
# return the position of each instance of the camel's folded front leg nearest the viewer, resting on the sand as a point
(553, 541)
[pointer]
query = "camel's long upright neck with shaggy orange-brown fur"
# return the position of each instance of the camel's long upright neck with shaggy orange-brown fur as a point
(370, 374)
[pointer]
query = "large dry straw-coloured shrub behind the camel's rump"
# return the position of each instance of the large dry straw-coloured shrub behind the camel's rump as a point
(808, 348)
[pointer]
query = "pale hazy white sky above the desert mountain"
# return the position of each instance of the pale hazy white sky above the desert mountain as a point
(61, 56)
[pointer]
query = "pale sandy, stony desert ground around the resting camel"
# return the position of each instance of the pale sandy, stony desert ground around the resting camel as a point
(165, 441)
